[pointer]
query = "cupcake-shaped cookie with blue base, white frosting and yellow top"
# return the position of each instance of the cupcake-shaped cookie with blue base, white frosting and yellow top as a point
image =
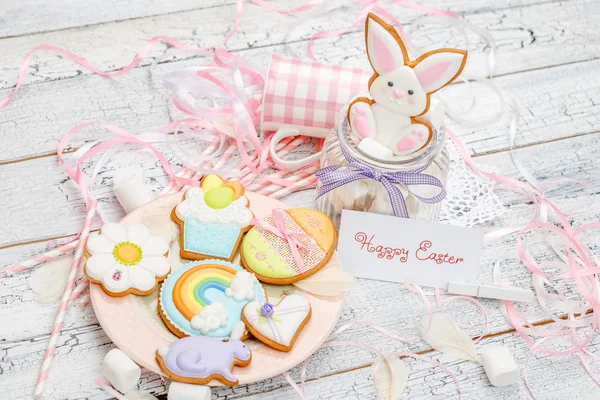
(212, 219)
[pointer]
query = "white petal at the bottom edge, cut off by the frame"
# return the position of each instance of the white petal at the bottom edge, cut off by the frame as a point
(389, 377)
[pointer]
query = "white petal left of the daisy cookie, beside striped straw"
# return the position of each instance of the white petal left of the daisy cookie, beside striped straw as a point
(49, 280)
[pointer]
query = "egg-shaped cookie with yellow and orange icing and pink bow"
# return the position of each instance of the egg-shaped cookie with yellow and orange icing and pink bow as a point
(289, 245)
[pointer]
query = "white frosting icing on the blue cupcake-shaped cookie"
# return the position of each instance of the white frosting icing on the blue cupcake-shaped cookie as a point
(194, 207)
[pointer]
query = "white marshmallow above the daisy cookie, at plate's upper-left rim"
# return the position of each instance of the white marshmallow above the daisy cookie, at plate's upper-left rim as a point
(130, 189)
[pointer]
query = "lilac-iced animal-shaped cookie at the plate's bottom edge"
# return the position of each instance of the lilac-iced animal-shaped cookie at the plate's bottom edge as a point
(198, 360)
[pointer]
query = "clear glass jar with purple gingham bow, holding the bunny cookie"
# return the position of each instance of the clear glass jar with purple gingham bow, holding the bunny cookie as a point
(369, 195)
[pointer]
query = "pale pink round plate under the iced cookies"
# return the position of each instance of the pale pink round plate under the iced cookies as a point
(133, 324)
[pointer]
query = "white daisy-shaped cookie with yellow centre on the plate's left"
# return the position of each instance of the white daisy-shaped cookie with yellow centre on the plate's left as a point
(126, 259)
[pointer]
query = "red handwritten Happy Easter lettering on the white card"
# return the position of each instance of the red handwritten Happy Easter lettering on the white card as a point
(423, 252)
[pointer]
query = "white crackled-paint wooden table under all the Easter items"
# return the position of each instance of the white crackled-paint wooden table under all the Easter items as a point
(548, 59)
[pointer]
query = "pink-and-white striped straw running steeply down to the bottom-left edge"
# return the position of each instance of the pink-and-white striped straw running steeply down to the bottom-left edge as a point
(64, 303)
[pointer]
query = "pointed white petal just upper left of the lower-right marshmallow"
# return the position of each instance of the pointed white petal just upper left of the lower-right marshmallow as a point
(445, 336)
